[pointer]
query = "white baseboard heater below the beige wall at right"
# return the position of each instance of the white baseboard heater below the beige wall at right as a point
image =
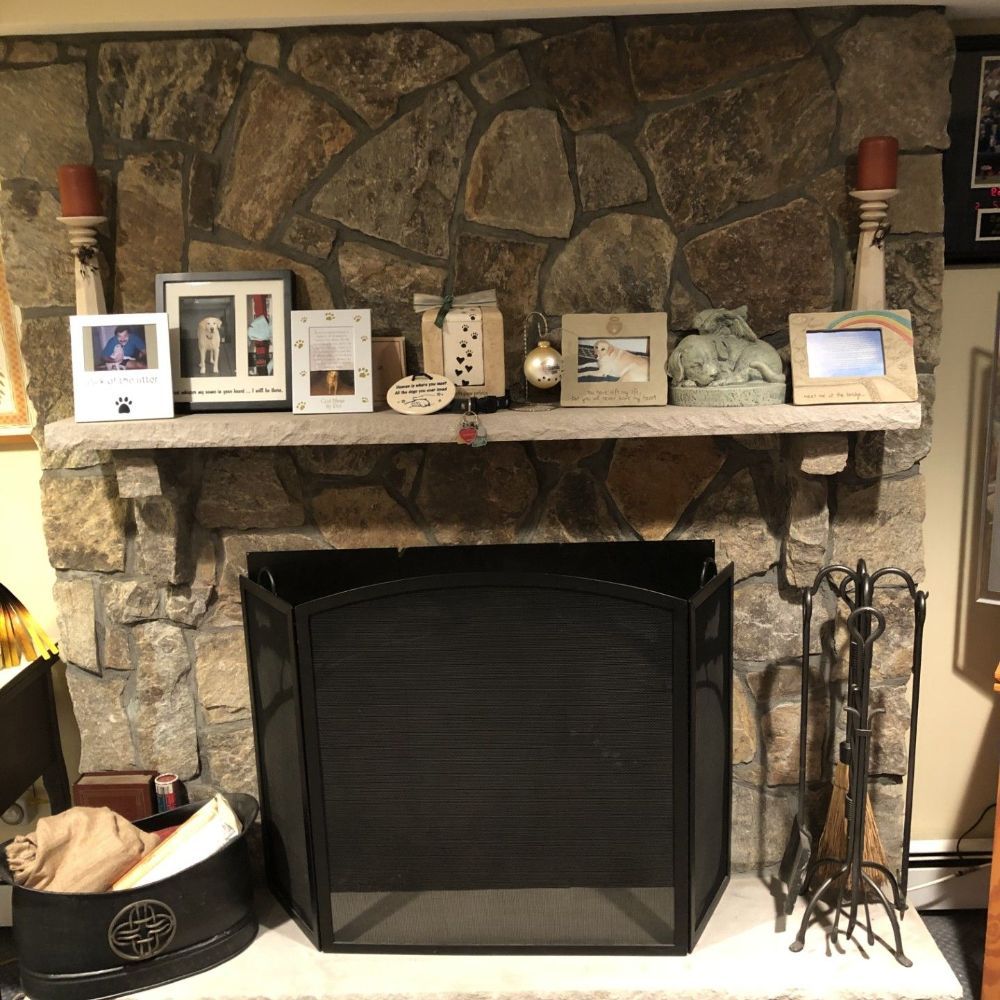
(959, 883)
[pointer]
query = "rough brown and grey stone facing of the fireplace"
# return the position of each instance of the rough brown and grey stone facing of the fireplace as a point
(628, 164)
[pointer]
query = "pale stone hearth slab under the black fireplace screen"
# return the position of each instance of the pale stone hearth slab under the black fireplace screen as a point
(743, 955)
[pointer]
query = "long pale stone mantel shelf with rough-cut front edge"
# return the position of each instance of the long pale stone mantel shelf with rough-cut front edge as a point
(257, 430)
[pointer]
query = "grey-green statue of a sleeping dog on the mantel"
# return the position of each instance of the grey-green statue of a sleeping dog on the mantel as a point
(725, 352)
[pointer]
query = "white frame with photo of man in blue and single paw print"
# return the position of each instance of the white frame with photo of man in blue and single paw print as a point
(121, 367)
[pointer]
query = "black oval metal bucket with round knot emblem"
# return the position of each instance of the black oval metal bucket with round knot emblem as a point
(84, 946)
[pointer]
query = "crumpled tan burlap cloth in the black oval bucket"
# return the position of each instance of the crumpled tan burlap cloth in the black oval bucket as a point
(80, 850)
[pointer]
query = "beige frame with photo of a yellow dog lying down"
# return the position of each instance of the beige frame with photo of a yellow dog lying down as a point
(614, 359)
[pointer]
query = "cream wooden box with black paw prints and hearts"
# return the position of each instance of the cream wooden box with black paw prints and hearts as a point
(468, 350)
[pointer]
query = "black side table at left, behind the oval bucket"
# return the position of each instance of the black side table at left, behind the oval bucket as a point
(30, 747)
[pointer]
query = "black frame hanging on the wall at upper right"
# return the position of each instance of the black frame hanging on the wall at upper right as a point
(972, 202)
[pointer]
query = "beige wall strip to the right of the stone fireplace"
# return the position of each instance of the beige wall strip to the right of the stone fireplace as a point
(959, 724)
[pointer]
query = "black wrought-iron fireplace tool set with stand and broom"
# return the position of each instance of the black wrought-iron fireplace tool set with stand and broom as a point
(854, 877)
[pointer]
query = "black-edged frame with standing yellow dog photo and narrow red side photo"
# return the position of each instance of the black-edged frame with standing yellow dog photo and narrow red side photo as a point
(230, 339)
